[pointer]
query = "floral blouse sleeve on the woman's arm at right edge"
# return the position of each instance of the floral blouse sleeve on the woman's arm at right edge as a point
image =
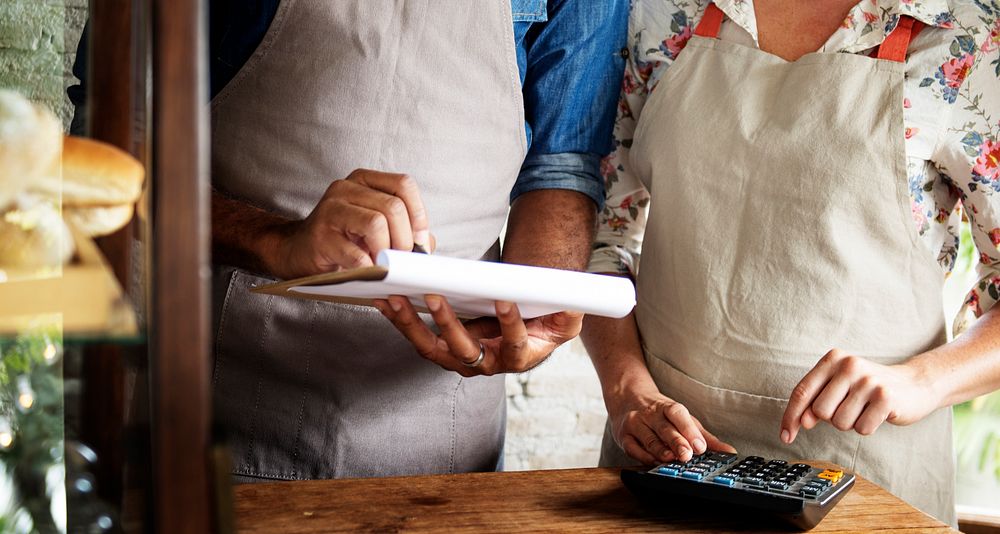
(968, 153)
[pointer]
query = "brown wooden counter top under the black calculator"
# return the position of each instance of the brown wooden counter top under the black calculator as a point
(572, 500)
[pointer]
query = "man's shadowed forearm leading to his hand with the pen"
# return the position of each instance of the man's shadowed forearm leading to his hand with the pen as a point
(243, 235)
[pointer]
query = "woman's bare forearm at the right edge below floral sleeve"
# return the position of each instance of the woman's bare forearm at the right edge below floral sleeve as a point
(967, 367)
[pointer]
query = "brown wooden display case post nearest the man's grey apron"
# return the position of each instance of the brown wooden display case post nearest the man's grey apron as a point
(179, 330)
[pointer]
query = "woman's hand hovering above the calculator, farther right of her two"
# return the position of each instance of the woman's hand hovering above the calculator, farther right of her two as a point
(851, 392)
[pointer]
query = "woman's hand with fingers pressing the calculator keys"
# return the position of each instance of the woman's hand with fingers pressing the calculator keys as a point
(653, 428)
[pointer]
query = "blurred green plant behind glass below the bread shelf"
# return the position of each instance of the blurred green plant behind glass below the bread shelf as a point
(32, 481)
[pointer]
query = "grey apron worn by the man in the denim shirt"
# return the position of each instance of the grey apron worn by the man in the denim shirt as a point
(431, 89)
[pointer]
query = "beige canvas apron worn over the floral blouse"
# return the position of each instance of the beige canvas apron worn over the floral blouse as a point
(780, 228)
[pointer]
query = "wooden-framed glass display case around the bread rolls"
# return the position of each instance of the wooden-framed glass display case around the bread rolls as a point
(104, 407)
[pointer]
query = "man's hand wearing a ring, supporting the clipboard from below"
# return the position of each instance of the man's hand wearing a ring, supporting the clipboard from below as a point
(509, 344)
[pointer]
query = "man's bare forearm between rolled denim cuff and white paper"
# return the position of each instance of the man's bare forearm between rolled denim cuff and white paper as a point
(550, 228)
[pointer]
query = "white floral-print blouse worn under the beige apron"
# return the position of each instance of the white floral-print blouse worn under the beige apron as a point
(951, 113)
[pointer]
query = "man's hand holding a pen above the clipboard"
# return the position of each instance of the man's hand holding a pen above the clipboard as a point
(357, 218)
